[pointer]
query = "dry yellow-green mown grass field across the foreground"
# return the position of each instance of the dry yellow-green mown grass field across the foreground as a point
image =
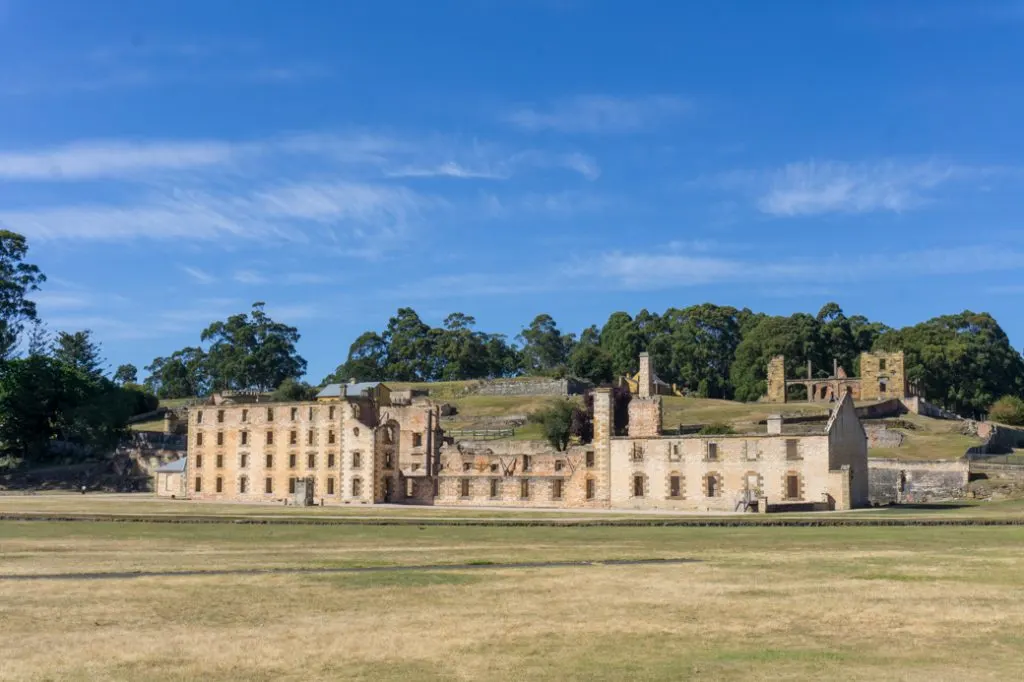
(762, 604)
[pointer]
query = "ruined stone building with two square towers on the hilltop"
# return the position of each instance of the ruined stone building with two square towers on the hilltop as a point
(882, 377)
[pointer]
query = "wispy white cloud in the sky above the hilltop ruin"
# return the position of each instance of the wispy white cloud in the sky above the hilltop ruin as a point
(831, 187)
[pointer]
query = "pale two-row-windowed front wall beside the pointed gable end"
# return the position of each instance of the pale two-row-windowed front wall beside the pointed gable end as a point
(760, 464)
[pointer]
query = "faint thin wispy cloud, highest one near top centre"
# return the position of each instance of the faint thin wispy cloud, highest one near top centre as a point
(601, 114)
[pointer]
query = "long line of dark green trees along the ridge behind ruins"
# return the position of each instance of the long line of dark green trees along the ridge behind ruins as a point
(963, 362)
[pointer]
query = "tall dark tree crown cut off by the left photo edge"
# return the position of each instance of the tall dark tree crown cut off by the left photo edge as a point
(18, 281)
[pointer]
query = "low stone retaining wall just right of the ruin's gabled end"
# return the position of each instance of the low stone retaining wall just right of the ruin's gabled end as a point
(922, 482)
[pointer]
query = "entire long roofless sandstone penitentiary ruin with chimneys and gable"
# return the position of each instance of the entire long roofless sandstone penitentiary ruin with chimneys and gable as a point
(363, 444)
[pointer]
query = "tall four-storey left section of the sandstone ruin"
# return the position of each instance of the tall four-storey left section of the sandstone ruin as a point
(348, 449)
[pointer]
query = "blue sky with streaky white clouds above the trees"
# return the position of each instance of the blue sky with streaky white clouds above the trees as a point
(174, 162)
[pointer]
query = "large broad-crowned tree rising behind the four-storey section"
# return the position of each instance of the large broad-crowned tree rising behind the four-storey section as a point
(252, 352)
